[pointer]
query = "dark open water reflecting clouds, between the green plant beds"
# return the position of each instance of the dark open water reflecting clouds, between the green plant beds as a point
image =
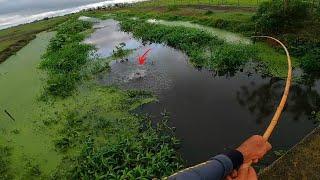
(211, 113)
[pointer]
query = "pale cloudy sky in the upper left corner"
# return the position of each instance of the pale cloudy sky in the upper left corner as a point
(15, 12)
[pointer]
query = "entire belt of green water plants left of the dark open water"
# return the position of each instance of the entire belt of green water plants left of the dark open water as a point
(96, 127)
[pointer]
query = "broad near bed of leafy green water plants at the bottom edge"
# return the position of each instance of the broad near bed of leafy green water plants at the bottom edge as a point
(109, 141)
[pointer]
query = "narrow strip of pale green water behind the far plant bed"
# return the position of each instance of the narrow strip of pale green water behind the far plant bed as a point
(222, 34)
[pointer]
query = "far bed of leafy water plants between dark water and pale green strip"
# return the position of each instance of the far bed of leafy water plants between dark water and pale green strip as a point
(204, 49)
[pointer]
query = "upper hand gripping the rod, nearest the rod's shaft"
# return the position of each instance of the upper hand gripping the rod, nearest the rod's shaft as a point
(254, 149)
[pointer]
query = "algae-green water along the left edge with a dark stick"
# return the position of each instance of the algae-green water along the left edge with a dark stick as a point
(21, 83)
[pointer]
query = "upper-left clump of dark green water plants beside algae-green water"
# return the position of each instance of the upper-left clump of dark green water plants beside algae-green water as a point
(65, 57)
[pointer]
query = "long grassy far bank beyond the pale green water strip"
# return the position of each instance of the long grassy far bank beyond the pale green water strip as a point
(233, 19)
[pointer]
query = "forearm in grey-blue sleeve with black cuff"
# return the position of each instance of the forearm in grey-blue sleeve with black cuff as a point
(216, 168)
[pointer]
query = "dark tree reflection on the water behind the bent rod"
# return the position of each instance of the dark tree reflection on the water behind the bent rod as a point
(262, 100)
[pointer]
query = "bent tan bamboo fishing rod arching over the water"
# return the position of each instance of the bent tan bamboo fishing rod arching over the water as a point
(275, 119)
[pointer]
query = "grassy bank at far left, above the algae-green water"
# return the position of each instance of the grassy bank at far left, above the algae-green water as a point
(13, 39)
